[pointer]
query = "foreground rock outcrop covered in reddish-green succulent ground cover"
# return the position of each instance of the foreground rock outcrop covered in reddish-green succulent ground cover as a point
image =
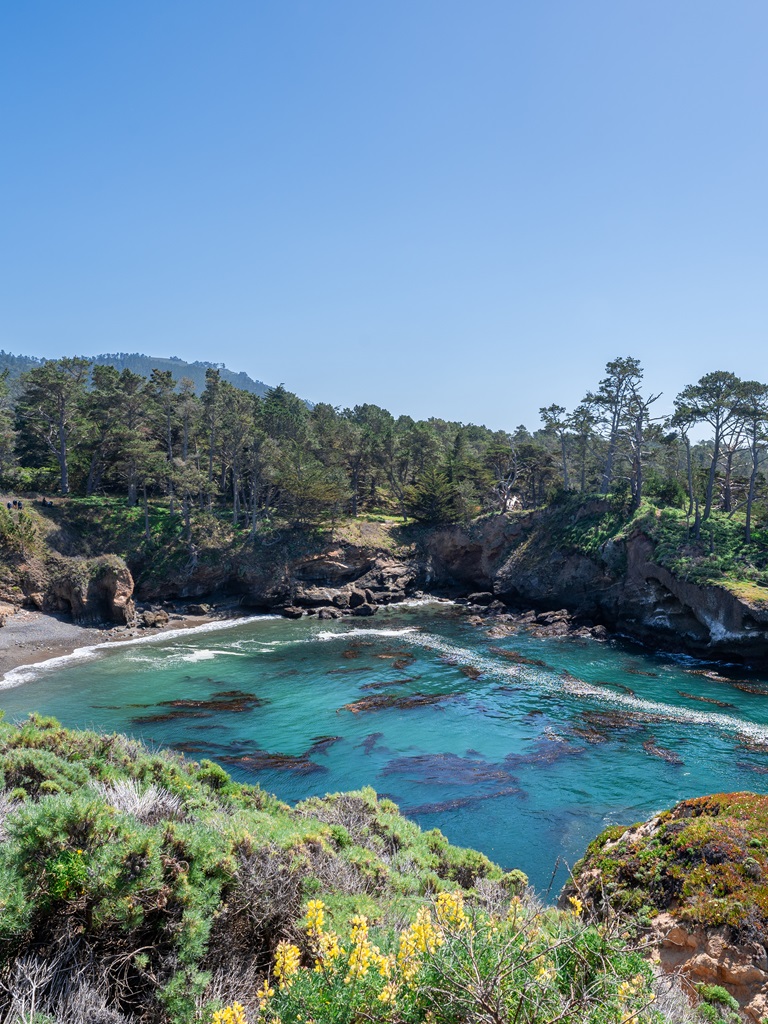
(696, 879)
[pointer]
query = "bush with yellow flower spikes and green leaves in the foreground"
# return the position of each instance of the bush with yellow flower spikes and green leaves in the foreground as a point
(451, 966)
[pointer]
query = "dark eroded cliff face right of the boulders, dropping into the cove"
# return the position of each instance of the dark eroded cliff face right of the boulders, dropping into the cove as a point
(623, 587)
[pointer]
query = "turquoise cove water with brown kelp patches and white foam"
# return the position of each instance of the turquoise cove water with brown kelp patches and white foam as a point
(527, 762)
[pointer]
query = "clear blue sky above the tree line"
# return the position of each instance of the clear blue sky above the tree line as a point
(460, 209)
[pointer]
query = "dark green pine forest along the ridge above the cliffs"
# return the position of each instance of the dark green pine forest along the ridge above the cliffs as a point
(260, 463)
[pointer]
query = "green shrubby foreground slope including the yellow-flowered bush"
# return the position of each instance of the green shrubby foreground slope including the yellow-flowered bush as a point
(137, 886)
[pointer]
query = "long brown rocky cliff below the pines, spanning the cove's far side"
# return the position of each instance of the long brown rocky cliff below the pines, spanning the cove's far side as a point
(578, 558)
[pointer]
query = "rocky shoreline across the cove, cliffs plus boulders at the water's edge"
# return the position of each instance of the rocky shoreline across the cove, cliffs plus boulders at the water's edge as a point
(505, 566)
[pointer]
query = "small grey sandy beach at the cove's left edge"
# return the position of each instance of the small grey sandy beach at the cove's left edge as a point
(31, 637)
